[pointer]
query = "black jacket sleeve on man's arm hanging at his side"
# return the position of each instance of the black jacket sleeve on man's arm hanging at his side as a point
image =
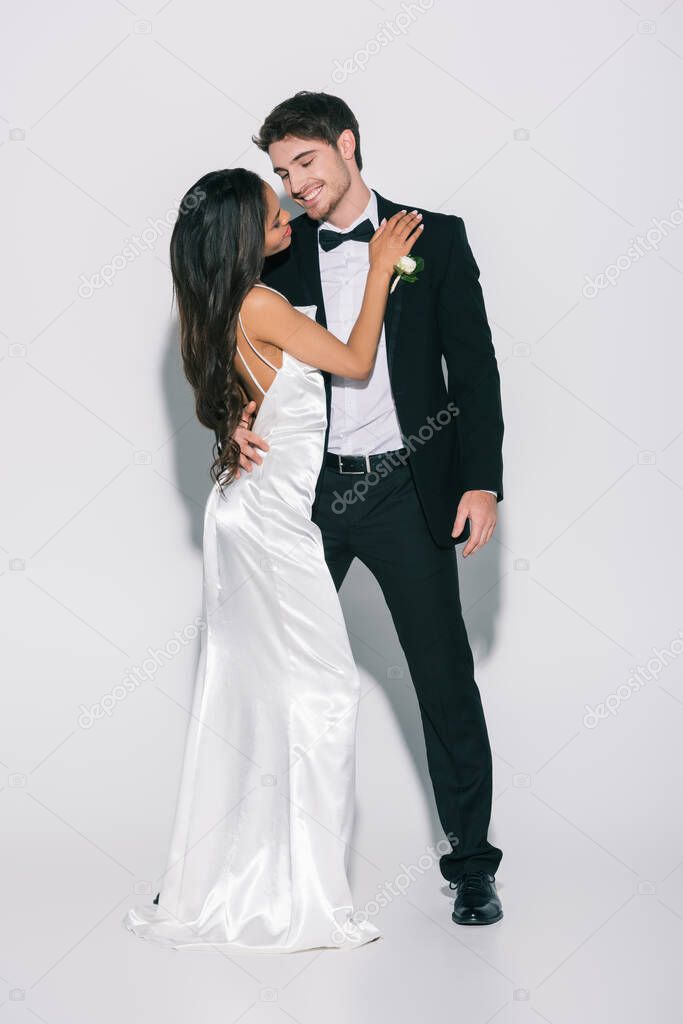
(474, 381)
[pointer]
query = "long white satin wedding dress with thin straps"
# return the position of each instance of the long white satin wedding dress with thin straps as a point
(260, 849)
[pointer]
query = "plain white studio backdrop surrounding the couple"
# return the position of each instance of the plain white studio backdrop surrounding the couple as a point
(553, 130)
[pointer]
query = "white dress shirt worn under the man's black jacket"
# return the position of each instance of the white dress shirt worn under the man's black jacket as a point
(363, 415)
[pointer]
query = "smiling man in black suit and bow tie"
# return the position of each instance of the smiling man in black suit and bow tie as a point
(413, 465)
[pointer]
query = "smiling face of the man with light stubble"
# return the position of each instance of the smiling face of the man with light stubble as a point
(315, 174)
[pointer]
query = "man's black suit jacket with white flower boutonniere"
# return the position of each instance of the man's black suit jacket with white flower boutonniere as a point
(454, 430)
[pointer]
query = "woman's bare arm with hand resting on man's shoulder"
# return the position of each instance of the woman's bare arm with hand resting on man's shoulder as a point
(270, 318)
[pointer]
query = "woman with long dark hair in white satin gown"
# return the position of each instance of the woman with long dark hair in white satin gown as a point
(260, 846)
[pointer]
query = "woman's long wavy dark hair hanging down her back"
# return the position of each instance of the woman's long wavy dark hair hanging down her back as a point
(218, 254)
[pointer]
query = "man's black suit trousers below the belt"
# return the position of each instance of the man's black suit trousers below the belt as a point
(383, 525)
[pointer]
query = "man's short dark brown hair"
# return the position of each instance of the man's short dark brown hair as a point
(310, 115)
